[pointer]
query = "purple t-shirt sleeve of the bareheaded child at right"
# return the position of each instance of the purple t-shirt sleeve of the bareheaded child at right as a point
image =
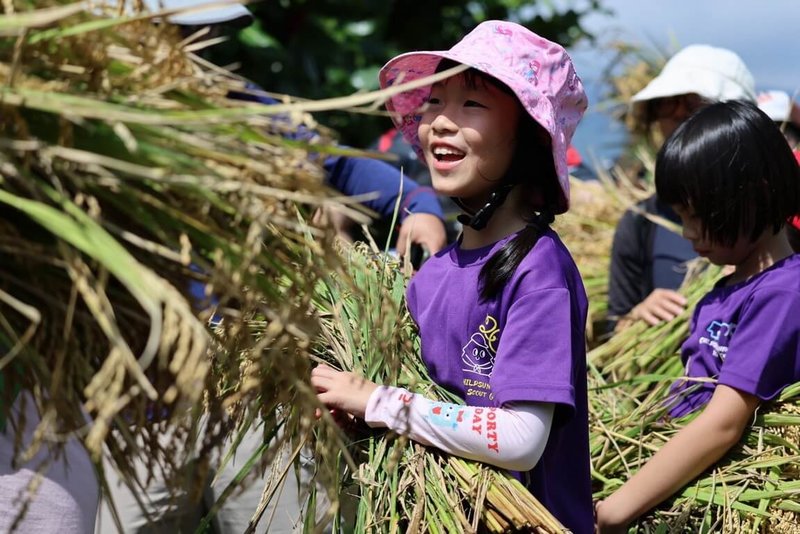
(763, 355)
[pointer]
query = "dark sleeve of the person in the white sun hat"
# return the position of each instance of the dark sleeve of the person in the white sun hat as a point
(627, 268)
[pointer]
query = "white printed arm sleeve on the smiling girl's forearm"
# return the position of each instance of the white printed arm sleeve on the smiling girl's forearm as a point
(513, 437)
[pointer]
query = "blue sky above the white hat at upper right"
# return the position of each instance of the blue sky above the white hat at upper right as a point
(765, 33)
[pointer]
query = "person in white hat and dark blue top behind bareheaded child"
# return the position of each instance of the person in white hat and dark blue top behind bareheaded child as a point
(648, 260)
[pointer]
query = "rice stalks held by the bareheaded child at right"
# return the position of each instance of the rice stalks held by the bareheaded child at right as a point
(754, 488)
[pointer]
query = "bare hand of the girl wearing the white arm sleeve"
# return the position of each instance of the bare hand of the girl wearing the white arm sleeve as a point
(341, 390)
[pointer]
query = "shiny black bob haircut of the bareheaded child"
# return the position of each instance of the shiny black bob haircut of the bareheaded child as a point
(730, 164)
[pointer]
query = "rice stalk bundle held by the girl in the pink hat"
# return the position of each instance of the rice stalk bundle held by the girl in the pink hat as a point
(397, 485)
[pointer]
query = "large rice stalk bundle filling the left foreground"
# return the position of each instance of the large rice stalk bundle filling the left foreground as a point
(125, 174)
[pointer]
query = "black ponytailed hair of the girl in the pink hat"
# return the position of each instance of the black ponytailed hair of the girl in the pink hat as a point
(532, 167)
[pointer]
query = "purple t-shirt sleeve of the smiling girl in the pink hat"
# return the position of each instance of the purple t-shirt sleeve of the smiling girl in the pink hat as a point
(535, 357)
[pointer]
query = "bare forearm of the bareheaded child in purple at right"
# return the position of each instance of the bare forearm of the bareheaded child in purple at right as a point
(693, 449)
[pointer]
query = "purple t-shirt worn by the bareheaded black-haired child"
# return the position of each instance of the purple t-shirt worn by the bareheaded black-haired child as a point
(746, 335)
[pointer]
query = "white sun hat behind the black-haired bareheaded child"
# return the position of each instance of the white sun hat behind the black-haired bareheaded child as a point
(716, 74)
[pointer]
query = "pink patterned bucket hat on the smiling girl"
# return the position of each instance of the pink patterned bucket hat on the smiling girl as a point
(538, 71)
